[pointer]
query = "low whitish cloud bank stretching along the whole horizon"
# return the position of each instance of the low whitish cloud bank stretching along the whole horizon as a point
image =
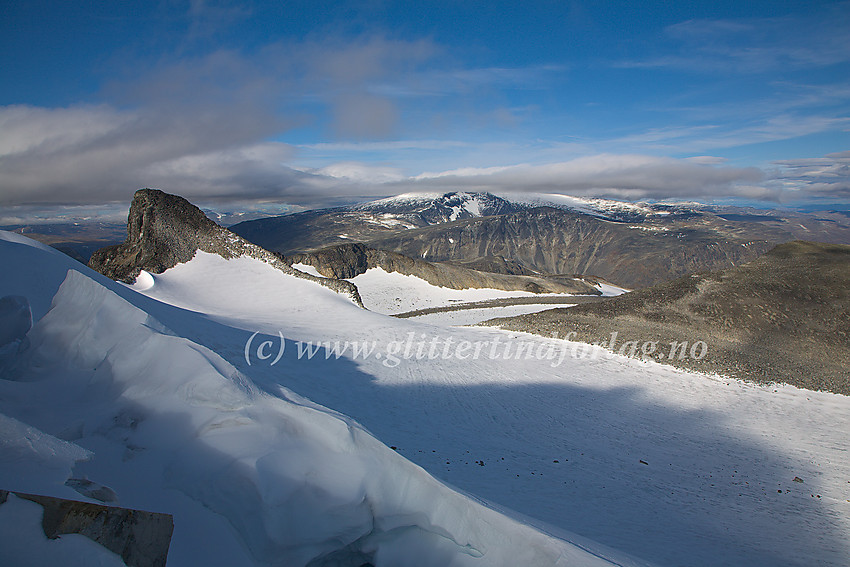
(98, 154)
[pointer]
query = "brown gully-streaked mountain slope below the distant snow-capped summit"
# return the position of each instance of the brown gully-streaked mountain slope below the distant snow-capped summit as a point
(563, 242)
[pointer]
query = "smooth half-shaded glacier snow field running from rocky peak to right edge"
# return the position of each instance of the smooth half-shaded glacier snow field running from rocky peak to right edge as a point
(718, 451)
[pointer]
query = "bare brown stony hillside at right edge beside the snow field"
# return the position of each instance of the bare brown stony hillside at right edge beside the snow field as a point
(784, 317)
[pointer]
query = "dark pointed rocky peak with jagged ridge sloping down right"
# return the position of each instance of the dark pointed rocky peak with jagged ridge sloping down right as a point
(165, 230)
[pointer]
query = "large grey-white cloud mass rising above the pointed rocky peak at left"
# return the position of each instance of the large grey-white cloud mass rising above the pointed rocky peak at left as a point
(200, 125)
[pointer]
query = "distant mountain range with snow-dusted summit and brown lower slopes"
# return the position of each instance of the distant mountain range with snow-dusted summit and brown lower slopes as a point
(630, 245)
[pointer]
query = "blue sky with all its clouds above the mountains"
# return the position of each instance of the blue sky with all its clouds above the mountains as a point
(310, 102)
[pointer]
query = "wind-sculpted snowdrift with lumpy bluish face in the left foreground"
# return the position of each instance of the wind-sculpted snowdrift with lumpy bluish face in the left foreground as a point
(299, 484)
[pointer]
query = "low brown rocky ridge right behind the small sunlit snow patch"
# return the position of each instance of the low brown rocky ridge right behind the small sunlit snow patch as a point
(350, 260)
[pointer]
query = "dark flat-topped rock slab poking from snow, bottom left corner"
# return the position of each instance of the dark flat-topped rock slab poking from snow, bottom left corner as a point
(140, 538)
